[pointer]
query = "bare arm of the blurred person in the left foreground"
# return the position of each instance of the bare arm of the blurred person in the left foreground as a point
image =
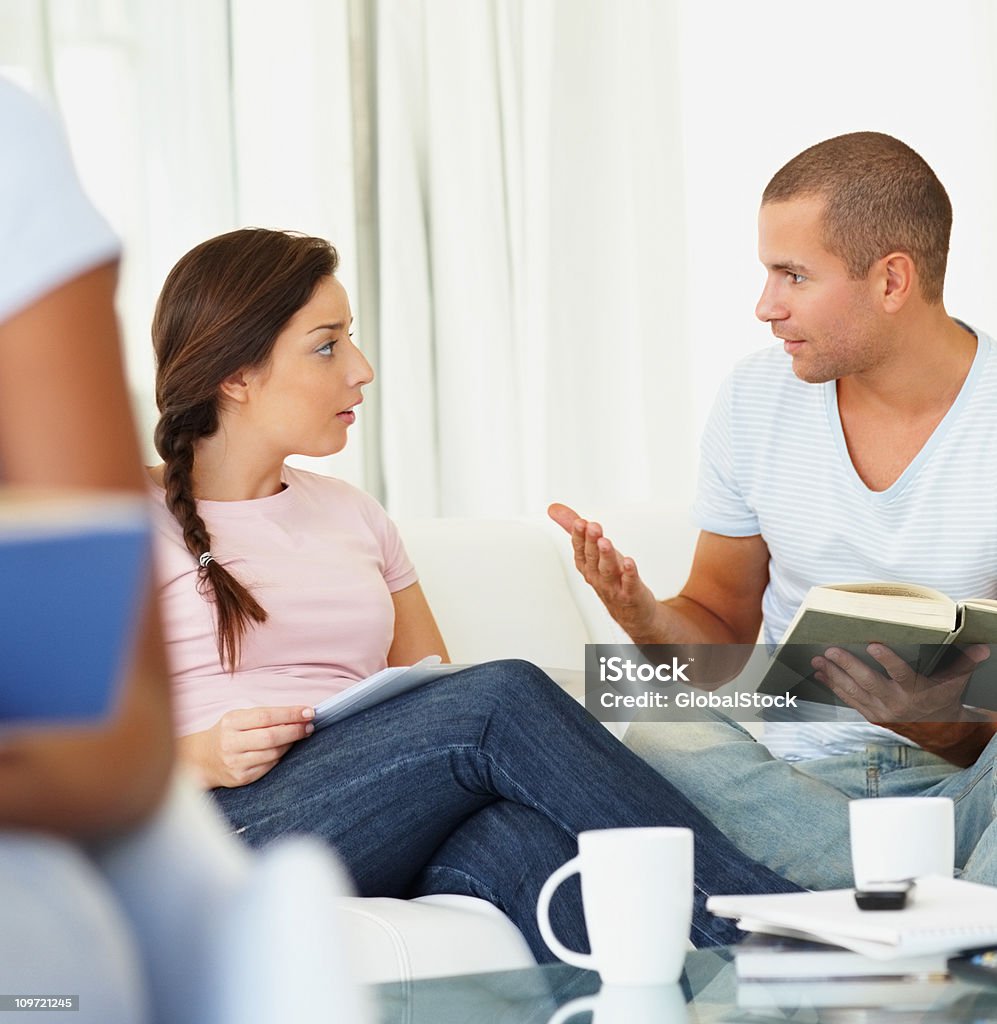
(65, 421)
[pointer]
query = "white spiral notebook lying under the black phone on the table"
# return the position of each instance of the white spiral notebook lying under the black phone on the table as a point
(943, 916)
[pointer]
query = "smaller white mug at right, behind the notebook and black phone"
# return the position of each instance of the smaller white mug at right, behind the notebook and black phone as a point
(897, 838)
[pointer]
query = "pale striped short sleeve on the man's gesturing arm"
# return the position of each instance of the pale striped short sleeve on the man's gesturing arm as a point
(720, 506)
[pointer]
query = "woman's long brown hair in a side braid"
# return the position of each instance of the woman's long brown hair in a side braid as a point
(221, 312)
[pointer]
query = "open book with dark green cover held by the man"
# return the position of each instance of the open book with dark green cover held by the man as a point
(921, 625)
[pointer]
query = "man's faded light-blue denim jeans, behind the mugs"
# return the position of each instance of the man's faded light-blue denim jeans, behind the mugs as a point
(795, 818)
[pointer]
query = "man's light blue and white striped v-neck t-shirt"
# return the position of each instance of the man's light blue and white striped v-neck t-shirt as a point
(775, 462)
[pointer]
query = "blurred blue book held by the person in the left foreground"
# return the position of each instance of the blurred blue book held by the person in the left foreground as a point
(73, 568)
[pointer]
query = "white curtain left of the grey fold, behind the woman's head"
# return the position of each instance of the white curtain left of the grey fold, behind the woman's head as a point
(192, 118)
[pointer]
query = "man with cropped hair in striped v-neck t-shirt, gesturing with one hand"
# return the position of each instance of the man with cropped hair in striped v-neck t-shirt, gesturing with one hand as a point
(860, 449)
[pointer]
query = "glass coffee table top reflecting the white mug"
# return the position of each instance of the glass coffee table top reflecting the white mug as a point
(708, 993)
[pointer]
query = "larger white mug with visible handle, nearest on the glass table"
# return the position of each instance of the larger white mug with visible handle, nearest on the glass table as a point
(637, 897)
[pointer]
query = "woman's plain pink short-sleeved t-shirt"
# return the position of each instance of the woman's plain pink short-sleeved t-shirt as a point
(322, 558)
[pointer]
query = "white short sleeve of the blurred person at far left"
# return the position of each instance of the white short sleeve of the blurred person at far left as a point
(50, 231)
